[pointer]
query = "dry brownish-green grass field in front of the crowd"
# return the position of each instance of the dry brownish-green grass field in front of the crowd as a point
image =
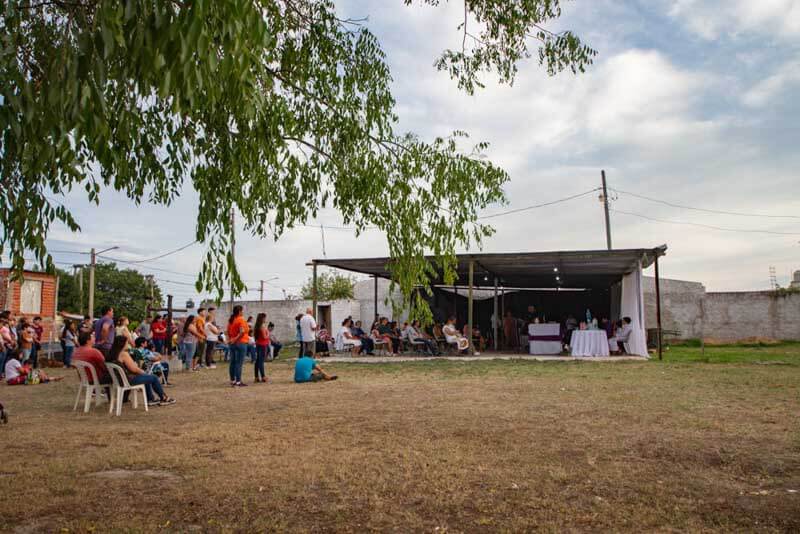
(433, 446)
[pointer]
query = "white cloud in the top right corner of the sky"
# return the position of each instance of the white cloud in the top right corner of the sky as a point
(711, 18)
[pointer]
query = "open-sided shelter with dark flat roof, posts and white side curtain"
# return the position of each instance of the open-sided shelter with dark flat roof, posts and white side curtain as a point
(610, 280)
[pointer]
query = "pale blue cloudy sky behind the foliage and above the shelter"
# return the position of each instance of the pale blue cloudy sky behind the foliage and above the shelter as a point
(692, 102)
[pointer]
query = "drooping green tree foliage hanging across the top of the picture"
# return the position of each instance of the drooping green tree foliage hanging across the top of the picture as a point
(270, 108)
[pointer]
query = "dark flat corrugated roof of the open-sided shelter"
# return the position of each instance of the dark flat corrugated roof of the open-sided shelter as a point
(574, 268)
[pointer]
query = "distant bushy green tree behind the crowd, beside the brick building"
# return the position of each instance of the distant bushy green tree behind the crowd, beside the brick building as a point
(124, 290)
